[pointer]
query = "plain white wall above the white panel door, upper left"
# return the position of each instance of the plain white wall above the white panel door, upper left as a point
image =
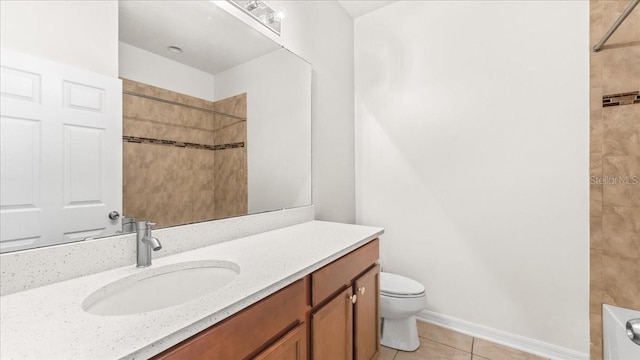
(76, 33)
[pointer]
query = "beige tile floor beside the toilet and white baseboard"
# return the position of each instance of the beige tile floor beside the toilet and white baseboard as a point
(437, 343)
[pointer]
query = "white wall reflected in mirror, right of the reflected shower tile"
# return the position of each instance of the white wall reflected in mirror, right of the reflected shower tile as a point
(278, 87)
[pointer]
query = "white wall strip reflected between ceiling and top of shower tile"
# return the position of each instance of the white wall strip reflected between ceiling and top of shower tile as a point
(146, 67)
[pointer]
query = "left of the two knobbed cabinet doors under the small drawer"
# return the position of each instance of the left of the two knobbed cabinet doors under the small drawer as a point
(332, 329)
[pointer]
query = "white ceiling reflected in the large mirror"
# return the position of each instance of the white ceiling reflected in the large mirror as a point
(210, 38)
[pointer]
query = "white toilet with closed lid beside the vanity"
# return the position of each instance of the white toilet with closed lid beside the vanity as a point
(401, 299)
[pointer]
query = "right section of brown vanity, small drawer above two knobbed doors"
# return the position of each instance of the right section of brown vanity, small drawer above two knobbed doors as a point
(345, 319)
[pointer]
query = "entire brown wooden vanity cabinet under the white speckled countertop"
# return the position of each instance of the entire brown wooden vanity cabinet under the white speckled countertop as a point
(331, 314)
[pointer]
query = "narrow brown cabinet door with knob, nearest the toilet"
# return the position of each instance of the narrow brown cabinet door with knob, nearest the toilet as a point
(367, 315)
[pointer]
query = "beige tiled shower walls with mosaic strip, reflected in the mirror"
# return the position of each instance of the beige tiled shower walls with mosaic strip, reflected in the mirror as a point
(182, 164)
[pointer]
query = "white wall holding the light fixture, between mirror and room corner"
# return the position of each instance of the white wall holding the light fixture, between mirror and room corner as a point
(322, 33)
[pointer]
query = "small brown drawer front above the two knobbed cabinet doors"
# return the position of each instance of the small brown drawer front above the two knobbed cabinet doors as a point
(331, 278)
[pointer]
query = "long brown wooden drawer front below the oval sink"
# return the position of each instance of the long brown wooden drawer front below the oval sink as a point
(244, 334)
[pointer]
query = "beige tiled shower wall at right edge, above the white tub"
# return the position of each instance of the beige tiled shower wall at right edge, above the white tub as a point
(614, 165)
